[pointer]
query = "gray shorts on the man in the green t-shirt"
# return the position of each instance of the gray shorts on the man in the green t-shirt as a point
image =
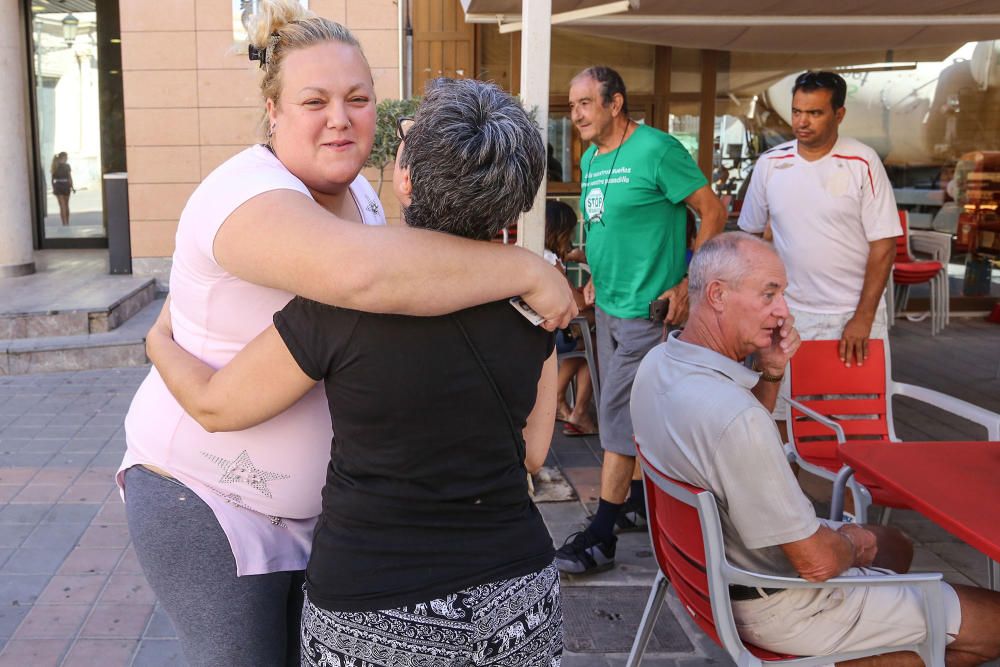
(621, 345)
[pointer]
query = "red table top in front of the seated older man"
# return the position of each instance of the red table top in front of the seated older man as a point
(954, 484)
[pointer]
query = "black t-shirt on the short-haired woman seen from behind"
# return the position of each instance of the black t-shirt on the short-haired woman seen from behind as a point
(426, 492)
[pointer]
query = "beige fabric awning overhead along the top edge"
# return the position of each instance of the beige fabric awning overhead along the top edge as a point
(776, 26)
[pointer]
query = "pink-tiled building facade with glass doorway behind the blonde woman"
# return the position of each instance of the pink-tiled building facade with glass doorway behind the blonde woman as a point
(163, 92)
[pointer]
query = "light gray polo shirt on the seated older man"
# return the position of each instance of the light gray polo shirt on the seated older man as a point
(696, 420)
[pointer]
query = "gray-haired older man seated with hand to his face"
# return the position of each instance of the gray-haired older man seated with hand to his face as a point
(703, 417)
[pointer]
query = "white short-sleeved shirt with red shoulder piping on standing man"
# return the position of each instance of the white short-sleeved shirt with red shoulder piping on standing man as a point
(823, 215)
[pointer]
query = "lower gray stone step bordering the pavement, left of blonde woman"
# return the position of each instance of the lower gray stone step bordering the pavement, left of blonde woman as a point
(125, 345)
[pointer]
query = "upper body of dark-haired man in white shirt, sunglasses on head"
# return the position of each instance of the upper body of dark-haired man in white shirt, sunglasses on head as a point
(834, 220)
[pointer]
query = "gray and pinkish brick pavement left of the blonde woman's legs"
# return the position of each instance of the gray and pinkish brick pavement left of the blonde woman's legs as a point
(71, 591)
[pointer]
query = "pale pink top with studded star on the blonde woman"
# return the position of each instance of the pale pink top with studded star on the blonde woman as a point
(263, 483)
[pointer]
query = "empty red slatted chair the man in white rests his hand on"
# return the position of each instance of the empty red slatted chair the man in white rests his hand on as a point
(831, 403)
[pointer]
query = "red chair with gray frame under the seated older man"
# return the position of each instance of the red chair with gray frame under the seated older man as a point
(686, 533)
